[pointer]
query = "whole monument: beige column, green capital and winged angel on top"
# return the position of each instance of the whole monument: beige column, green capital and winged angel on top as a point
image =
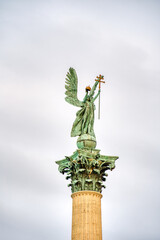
(86, 167)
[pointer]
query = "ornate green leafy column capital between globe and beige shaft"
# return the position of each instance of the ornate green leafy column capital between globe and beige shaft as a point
(87, 169)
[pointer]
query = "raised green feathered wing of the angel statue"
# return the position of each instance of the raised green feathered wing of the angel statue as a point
(71, 88)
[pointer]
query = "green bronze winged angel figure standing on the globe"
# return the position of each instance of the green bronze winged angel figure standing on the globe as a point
(84, 121)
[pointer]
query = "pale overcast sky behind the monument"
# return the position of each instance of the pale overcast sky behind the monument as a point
(39, 41)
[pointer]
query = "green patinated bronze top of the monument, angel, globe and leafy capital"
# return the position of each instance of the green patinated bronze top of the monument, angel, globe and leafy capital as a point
(85, 167)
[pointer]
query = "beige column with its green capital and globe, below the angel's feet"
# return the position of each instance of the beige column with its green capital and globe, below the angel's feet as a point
(87, 170)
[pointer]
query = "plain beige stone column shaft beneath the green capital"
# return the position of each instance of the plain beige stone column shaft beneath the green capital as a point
(86, 215)
